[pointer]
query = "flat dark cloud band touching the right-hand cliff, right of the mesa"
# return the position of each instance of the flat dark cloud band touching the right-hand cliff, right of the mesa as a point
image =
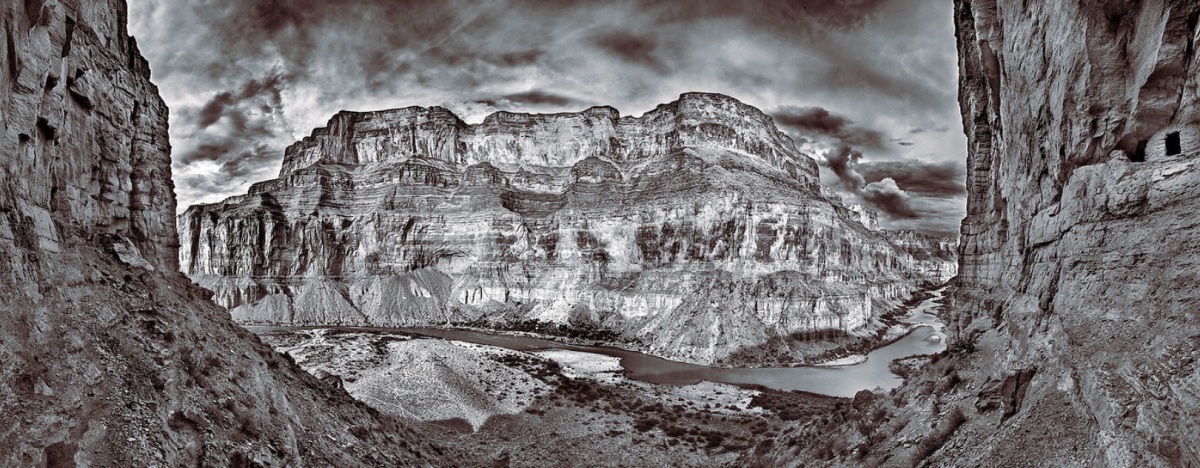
(929, 179)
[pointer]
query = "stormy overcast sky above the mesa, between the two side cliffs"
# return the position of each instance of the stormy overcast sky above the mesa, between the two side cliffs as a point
(867, 86)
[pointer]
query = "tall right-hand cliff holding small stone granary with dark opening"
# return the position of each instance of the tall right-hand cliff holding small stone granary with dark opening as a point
(1081, 247)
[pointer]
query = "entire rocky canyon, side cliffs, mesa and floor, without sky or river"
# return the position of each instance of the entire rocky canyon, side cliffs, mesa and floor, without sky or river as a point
(1073, 338)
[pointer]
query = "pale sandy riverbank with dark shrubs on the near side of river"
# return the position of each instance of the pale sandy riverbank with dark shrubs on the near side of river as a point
(550, 406)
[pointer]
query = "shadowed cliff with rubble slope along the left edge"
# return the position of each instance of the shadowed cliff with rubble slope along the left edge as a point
(109, 357)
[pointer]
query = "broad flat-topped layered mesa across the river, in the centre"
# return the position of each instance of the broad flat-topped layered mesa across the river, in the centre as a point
(693, 231)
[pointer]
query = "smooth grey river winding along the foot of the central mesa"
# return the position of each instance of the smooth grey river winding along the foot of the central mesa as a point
(842, 381)
